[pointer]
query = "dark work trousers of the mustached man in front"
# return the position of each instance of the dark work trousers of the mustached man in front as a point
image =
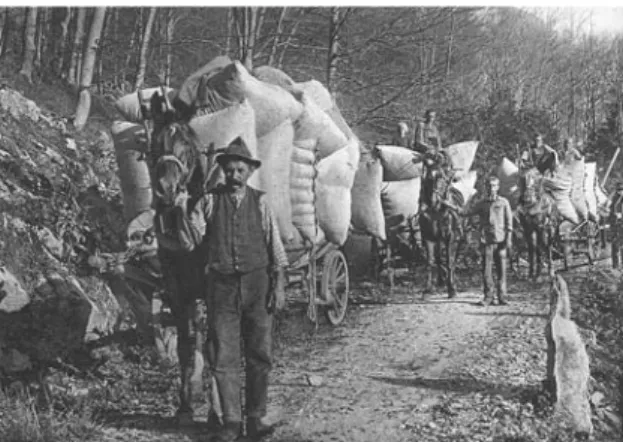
(237, 305)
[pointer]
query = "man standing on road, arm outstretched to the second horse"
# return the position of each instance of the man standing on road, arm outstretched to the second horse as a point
(496, 231)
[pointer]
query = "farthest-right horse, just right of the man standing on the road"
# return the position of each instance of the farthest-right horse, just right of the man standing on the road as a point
(539, 219)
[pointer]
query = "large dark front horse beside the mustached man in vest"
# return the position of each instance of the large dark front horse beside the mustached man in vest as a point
(182, 166)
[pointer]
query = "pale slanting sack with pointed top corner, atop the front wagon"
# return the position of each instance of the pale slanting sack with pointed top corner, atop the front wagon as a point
(272, 104)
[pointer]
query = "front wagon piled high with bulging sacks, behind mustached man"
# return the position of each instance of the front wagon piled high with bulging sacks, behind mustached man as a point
(309, 159)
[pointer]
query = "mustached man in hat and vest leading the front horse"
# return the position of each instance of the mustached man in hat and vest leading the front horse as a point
(245, 272)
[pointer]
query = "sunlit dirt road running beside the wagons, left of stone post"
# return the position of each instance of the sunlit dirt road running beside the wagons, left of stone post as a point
(389, 371)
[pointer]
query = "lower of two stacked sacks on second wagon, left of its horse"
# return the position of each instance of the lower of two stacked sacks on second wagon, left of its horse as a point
(401, 198)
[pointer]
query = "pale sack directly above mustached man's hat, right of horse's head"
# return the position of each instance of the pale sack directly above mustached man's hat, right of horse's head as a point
(216, 130)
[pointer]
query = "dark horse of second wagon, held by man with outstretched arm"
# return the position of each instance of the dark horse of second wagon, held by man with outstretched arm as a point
(440, 226)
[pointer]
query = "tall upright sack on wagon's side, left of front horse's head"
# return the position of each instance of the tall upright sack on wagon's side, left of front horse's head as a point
(133, 172)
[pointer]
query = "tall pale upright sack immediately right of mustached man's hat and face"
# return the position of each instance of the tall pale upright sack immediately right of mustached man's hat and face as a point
(274, 150)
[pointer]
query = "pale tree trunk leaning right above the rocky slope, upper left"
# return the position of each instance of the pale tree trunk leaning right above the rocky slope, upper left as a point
(84, 100)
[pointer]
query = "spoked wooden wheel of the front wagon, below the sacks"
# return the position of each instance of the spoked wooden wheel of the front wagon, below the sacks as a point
(335, 285)
